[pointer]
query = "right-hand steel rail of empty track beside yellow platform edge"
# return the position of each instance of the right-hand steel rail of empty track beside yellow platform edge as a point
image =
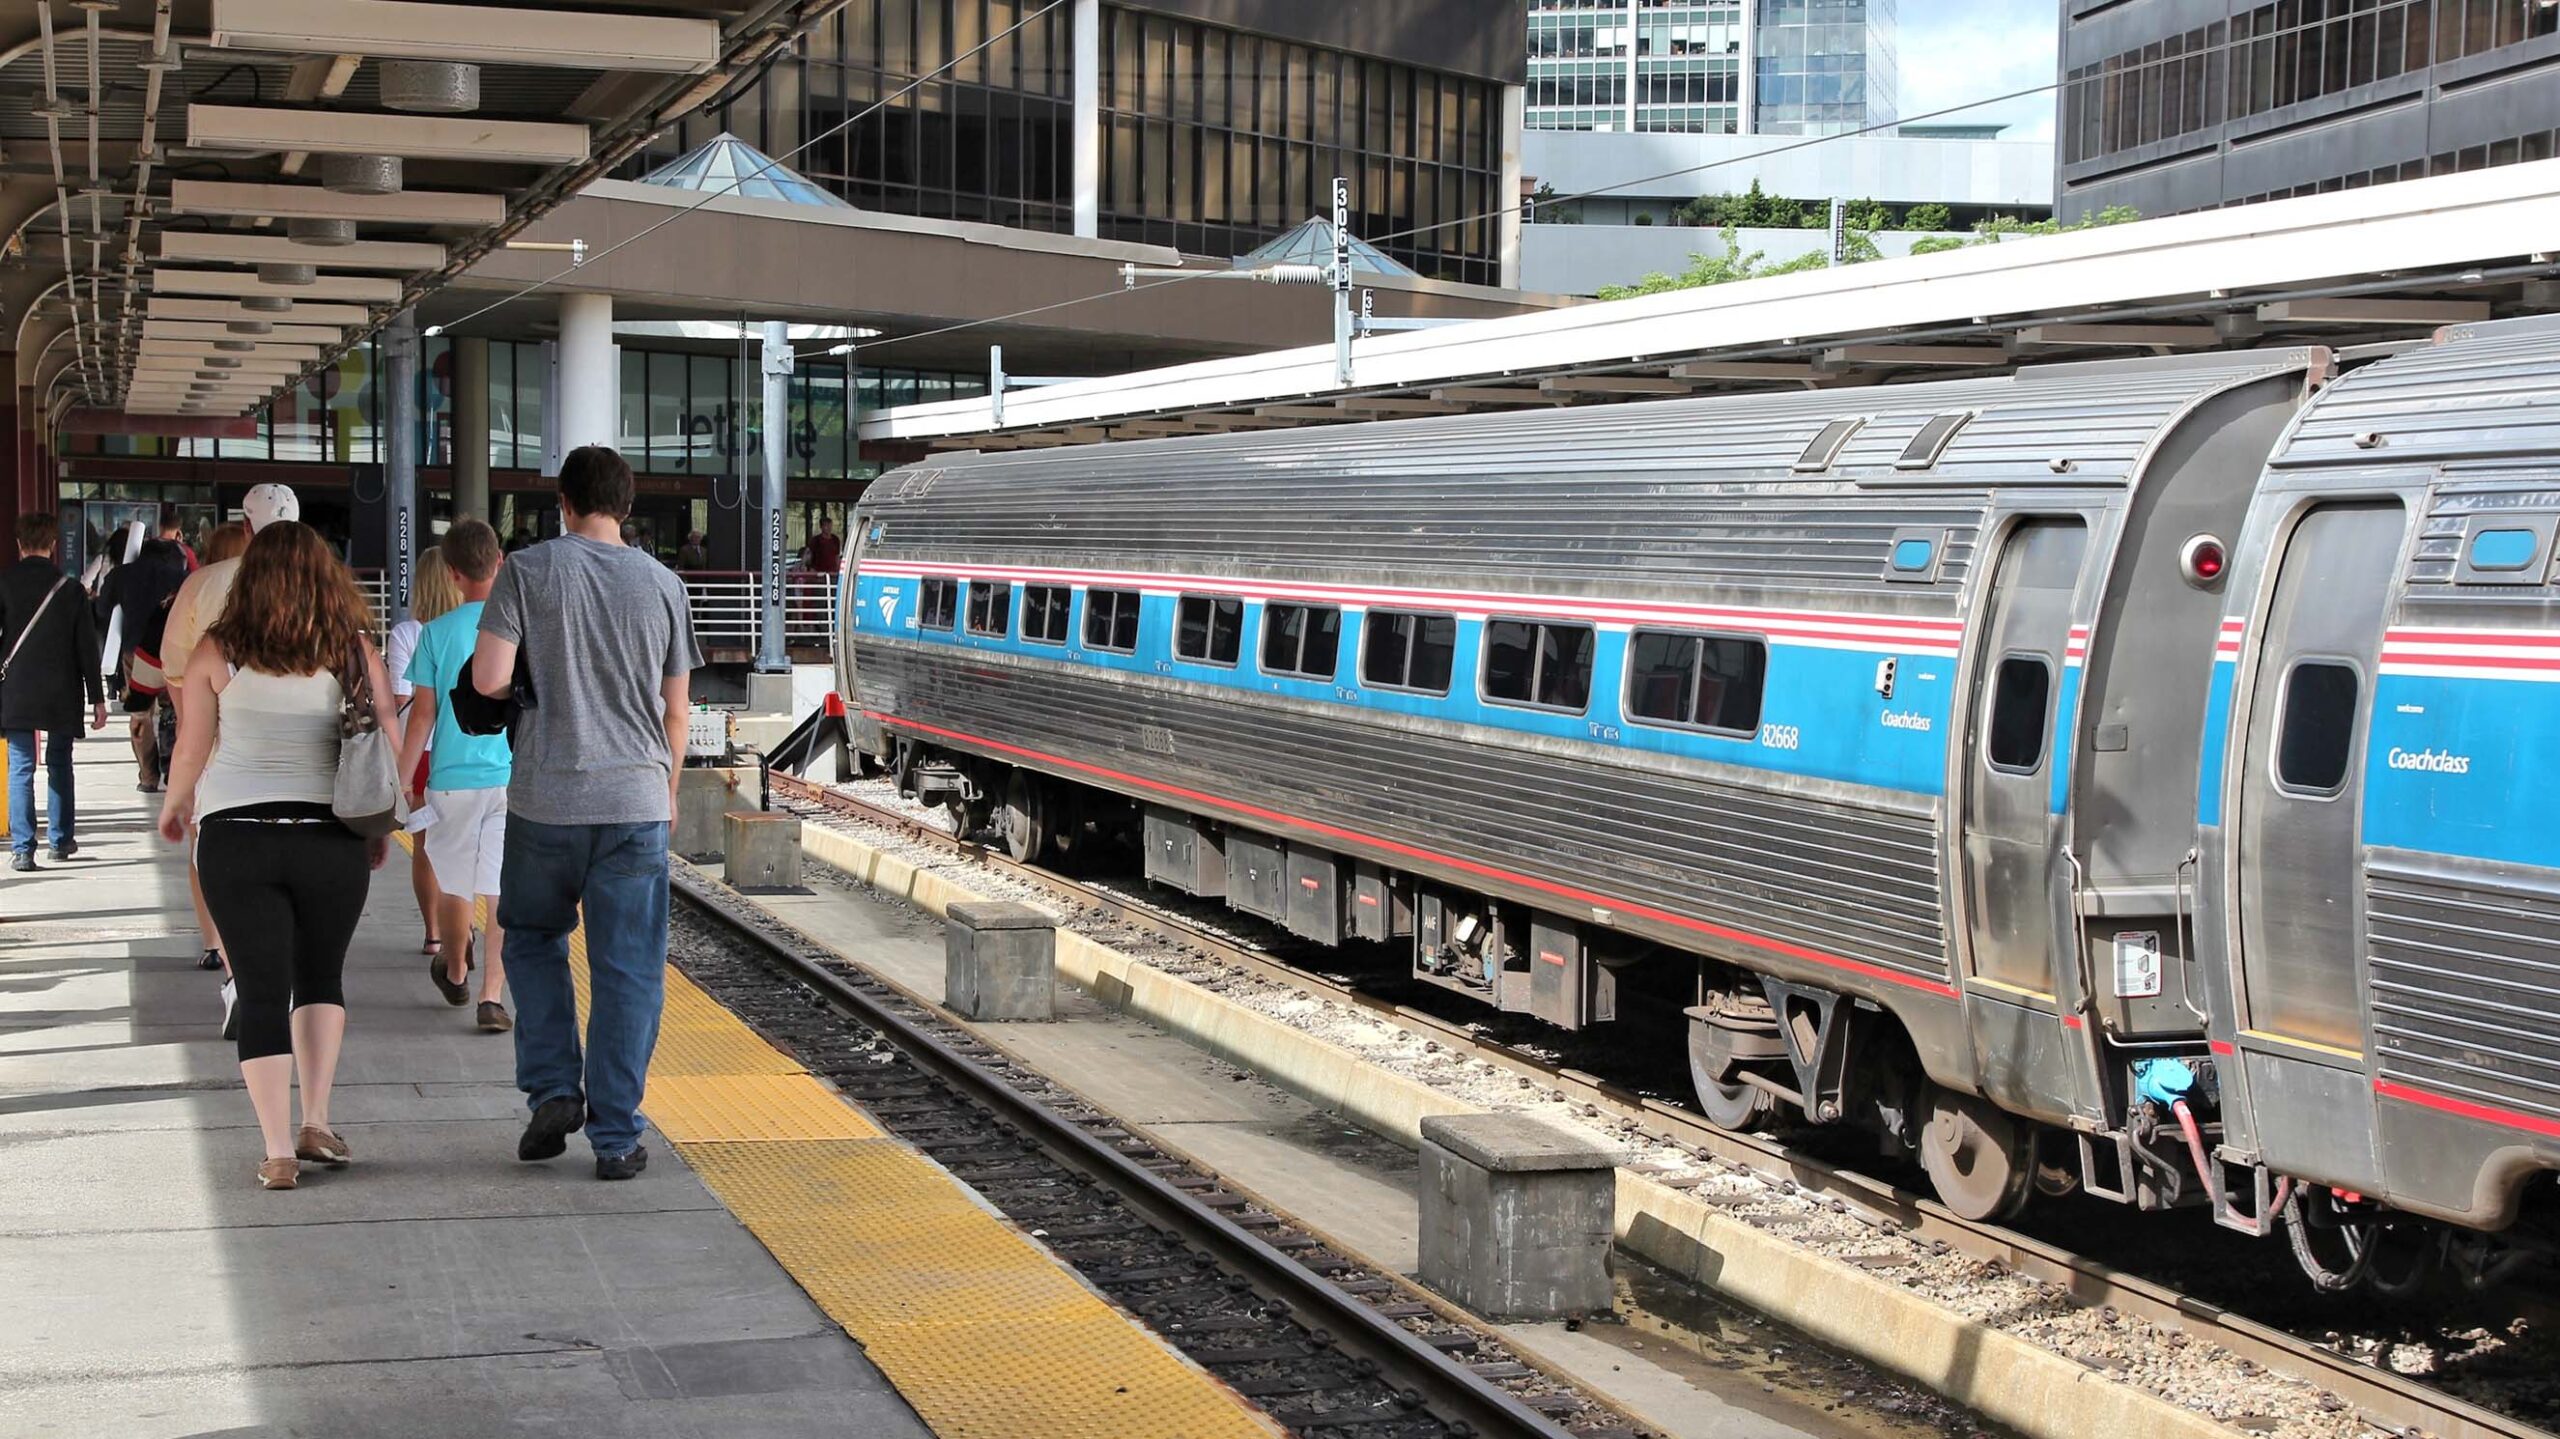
(1448, 1387)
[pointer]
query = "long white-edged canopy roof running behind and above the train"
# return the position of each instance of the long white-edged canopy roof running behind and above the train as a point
(2356, 268)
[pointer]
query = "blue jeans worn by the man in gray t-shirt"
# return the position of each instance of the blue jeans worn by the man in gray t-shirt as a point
(618, 874)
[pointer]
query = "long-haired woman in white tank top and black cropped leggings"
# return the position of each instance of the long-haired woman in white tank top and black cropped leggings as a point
(285, 880)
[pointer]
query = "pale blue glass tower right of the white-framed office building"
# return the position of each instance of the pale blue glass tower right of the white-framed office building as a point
(1824, 68)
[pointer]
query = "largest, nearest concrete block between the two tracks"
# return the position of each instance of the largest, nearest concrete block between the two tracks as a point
(1517, 1215)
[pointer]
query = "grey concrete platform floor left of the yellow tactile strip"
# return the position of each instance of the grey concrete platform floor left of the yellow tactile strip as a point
(434, 1289)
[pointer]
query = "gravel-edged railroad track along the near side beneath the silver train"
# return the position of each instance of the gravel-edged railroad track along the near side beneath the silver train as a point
(2392, 1402)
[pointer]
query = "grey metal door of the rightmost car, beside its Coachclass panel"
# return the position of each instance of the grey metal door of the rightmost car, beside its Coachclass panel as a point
(2300, 846)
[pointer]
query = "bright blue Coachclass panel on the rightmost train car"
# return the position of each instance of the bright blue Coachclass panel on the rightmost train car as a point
(2467, 767)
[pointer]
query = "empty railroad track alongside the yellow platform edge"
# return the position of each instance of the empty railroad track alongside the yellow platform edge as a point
(1315, 1338)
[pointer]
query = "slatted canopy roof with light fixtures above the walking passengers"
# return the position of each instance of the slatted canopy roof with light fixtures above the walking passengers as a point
(209, 201)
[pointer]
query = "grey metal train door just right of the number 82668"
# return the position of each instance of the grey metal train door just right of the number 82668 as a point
(2008, 823)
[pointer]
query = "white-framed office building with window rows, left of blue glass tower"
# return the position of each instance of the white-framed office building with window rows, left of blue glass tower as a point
(1637, 65)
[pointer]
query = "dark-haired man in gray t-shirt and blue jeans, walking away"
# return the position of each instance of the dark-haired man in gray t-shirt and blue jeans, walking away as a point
(608, 652)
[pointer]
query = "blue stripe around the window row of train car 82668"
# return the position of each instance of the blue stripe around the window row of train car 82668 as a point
(1821, 711)
